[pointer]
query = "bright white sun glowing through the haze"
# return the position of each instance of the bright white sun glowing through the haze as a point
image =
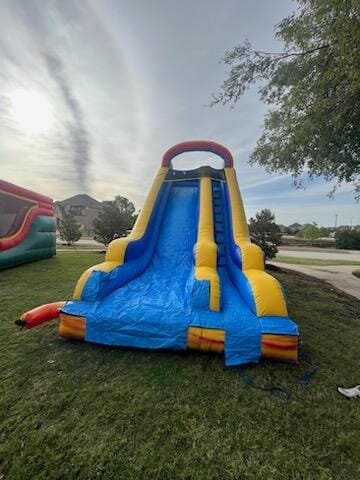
(31, 111)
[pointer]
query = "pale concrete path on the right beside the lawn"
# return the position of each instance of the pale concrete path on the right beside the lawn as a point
(338, 275)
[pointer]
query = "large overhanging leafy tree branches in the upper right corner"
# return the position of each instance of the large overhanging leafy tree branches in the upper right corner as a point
(312, 87)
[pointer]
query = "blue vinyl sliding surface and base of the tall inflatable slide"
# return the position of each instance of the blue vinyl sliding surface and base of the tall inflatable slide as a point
(154, 310)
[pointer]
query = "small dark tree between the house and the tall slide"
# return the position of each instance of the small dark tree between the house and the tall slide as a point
(114, 220)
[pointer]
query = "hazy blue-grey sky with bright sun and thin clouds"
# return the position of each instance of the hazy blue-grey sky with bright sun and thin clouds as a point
(93, 93)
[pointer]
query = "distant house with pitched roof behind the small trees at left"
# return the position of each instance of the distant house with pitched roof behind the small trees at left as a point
(83, 207)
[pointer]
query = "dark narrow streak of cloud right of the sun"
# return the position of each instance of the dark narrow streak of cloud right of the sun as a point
(79, 137)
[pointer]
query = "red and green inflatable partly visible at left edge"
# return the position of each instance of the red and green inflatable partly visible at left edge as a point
(27, 226)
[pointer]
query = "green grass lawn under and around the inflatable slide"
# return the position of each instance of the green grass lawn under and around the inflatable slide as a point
(72, 410)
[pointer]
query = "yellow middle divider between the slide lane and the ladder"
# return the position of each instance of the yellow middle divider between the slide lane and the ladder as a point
(206, 248)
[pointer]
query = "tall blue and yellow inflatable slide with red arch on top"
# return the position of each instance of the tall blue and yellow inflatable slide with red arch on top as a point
(186, 277)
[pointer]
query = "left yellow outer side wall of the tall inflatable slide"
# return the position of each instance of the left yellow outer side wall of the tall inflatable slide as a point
(115, 254)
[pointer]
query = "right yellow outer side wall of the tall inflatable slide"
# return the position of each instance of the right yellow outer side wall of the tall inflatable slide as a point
(268, 296)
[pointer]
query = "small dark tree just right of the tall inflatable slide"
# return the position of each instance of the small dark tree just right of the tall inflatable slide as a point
(265, 233)
